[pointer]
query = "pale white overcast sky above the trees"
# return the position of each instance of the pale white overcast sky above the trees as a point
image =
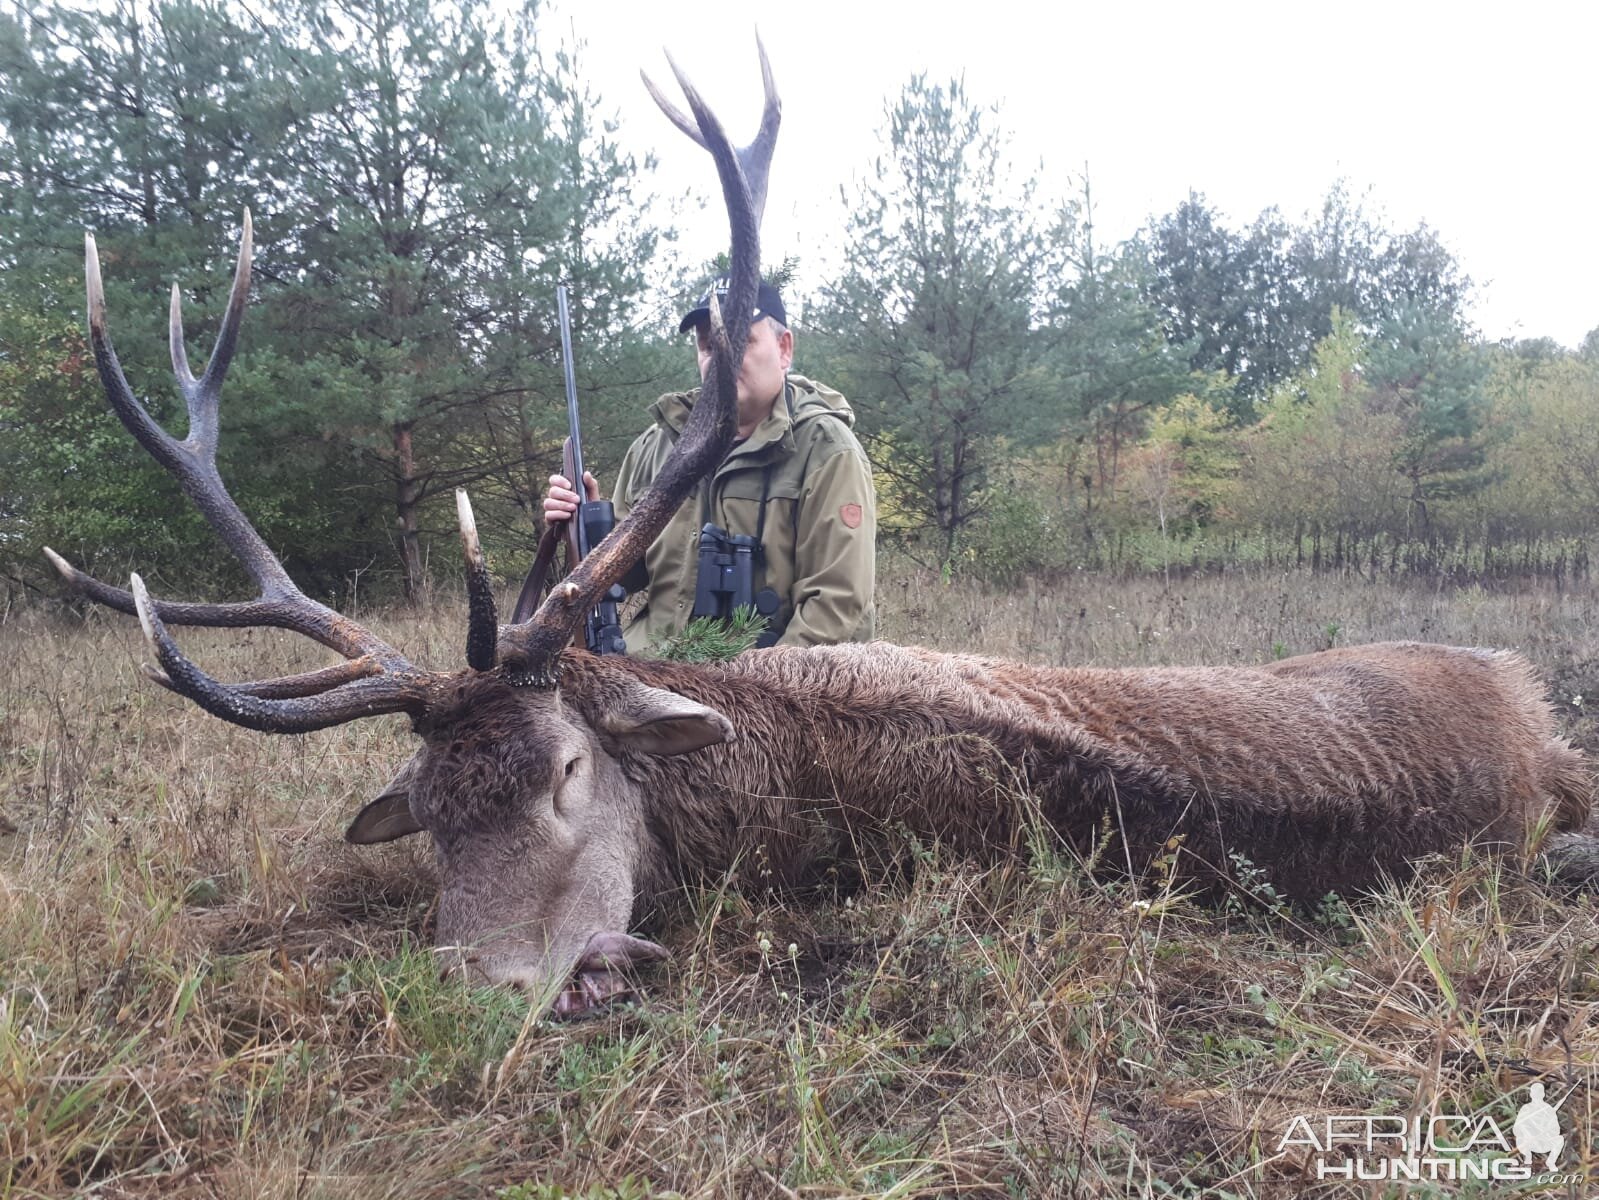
(1478, 121)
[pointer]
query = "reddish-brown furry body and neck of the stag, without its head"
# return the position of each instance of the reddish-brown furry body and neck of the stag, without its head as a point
(1326, 772)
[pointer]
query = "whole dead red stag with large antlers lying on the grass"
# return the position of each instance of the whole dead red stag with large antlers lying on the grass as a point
(564, 791)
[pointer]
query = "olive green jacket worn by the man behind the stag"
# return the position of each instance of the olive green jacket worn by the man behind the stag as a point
(821, 518)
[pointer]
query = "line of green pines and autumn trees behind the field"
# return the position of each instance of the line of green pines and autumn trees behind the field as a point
(1298, 390)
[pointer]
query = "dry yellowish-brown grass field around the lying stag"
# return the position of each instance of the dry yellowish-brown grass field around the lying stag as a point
(205, 993)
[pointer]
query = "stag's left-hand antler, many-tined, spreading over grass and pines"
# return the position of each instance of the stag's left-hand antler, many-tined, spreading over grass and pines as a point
(377, 678)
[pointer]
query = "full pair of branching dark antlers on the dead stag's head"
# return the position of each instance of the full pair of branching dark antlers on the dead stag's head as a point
(378, 678)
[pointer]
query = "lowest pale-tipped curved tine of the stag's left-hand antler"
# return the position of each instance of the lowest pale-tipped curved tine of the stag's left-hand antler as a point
(367, 697)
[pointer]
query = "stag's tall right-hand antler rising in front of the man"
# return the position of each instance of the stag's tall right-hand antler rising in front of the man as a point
(530, 652)
